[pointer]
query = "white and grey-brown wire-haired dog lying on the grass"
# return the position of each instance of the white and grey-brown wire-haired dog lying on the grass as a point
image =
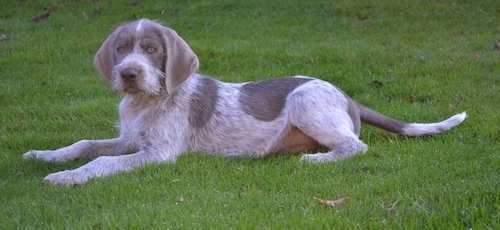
(168, 109)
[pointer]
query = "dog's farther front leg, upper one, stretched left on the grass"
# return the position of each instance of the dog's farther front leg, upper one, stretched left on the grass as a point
(82, 149)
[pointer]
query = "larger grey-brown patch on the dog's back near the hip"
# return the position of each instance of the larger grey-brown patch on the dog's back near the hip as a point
(264, 100)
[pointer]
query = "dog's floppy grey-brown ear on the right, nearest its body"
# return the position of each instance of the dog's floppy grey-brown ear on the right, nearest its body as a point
(181, 60)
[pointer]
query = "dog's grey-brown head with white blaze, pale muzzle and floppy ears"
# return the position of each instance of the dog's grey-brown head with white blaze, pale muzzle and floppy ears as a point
(145, 57)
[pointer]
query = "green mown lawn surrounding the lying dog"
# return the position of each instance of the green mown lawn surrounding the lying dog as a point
(413, 60)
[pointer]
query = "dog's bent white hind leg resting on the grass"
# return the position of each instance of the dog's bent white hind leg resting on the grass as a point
(329, 123)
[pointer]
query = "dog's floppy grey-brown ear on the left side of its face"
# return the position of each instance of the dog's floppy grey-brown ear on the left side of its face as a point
(103, 60)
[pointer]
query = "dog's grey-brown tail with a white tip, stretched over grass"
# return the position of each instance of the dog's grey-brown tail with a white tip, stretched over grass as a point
(410, 129)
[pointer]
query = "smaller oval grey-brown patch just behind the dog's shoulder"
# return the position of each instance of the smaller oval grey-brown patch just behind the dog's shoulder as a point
(203, 102)
